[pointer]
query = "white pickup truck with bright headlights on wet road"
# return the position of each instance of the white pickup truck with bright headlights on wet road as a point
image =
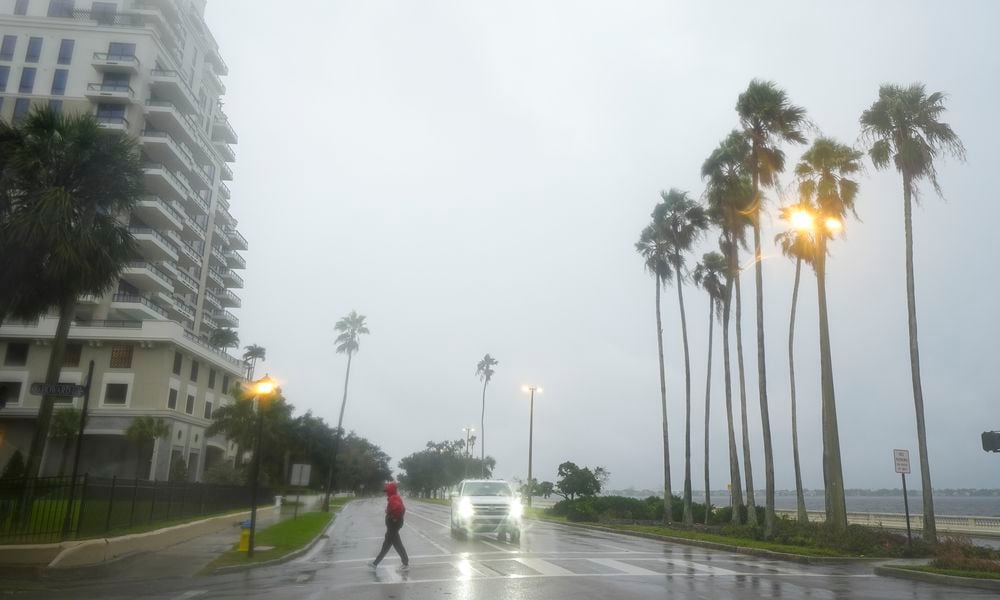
(486, 506)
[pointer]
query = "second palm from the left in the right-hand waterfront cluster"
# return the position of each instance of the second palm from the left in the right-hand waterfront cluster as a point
(682, 222)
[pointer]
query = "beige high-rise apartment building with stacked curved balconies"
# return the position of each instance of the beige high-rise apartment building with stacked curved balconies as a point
(150, 69)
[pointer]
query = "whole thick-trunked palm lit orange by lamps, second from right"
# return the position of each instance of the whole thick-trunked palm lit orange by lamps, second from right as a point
(824, 180)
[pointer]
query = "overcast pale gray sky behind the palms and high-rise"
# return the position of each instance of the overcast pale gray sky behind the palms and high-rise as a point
(472, 177)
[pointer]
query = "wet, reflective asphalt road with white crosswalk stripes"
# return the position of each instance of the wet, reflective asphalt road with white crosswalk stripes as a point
(552, 563)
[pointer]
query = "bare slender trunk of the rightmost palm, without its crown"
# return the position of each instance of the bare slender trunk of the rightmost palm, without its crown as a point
(930, 525)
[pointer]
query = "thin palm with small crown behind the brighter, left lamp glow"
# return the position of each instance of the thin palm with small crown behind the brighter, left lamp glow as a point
(798, 245)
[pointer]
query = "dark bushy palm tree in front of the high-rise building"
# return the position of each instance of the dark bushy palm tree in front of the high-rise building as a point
(65, 182)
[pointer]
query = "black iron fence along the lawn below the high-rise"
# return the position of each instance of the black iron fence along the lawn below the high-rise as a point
(51, 509)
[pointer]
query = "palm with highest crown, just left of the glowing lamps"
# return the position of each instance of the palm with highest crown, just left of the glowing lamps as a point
(768, 120)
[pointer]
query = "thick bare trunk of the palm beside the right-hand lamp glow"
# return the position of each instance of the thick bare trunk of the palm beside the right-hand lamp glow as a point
(833, 472)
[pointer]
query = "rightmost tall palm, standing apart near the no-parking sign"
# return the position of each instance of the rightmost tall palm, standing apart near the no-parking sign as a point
(904, 129)
